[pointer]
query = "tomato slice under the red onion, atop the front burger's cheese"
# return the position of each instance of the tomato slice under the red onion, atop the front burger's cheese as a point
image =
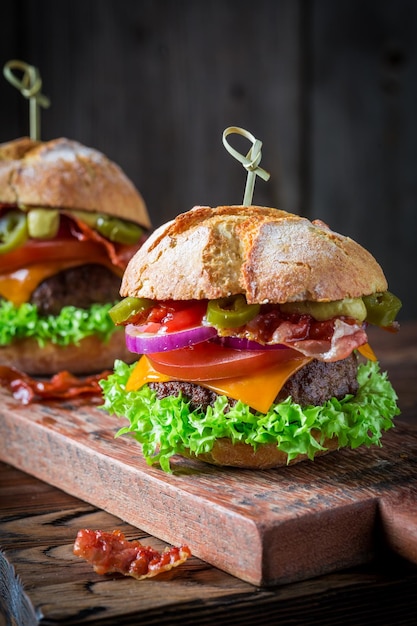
(209, 361)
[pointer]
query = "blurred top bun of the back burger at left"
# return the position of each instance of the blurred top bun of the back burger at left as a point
(66, 174)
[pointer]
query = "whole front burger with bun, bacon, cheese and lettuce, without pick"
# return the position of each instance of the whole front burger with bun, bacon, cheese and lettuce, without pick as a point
(252, 326)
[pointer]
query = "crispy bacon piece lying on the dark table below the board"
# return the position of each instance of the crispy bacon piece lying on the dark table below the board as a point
(112, 552)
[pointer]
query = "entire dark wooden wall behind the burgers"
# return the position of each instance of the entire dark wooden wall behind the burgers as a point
(330, 87)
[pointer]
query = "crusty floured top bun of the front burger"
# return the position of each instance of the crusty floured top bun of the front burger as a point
(266, 254)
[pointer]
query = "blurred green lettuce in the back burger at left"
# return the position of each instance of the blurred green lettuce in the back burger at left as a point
(69, 327)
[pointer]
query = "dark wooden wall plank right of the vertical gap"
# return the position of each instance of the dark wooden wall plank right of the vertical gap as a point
(362, 99)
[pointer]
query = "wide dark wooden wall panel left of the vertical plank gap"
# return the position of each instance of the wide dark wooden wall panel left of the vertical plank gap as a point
(154, 84)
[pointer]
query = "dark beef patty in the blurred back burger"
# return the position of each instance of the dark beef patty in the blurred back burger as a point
(79, 286)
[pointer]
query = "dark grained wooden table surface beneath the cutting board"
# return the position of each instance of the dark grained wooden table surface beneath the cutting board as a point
(41, 582)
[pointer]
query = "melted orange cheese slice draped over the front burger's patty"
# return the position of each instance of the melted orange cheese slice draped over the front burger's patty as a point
(258, 390)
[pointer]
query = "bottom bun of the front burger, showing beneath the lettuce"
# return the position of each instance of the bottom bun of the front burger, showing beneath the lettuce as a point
(266, 456)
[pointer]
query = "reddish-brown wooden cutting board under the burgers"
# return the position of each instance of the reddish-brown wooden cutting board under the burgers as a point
(265, 527)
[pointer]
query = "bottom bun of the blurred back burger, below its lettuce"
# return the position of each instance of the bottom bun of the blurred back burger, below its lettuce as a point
(90, 356)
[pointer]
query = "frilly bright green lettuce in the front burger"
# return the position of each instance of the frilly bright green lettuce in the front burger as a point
(166, 427)
